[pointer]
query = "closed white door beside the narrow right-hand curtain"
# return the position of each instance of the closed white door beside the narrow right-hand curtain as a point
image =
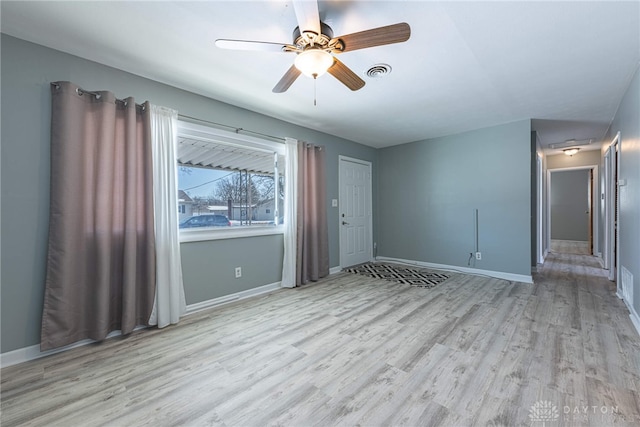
(355, 212)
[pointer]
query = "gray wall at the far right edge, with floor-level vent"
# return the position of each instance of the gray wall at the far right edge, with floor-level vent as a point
(627, 122)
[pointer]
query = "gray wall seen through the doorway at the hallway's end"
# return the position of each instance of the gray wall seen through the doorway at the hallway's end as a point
(569, 203)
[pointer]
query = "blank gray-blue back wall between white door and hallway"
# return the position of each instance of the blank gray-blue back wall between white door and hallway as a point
(428, 191)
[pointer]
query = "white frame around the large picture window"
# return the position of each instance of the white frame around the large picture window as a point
(193, 130)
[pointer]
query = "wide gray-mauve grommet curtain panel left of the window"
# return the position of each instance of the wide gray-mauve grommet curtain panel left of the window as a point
(101, 252)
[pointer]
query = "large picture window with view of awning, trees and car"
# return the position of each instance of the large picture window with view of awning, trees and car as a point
(233, 183)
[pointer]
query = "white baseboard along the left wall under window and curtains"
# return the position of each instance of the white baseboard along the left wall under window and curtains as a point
(33, 352)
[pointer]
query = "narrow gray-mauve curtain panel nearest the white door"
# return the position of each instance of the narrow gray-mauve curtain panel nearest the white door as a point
(312, 248)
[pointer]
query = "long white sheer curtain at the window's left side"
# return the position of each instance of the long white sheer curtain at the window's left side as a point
(170, 301)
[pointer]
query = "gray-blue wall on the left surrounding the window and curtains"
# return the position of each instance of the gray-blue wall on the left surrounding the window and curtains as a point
(27, 70)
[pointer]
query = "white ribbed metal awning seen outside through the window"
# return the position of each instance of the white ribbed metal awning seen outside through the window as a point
(214, 155)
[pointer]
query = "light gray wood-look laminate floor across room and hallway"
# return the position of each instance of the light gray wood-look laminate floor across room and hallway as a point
(356, 351)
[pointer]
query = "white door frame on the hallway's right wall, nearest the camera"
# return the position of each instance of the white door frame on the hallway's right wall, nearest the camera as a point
(611, 215)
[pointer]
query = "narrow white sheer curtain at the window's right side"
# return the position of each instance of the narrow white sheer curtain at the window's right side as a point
(290, 213)
